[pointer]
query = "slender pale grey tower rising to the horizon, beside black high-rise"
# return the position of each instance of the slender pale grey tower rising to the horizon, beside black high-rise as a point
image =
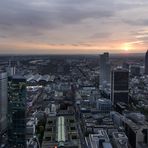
(104, 69)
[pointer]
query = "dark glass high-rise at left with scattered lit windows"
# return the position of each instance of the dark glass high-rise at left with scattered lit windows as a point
(17, 112)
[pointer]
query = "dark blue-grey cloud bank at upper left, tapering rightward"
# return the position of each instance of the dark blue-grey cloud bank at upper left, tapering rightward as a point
(16, 14)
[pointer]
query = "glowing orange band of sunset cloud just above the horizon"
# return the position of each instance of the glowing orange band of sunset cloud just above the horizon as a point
(81, 48)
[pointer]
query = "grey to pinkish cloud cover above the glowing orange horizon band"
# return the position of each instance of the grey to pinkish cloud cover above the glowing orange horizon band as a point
(71, 21)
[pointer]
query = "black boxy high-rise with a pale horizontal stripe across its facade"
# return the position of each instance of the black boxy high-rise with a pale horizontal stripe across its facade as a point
(119, 86)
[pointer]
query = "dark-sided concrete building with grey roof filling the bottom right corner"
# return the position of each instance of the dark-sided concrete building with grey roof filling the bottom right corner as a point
(137, 132)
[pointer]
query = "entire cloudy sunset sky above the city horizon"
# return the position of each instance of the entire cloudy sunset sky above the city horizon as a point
(73, 26)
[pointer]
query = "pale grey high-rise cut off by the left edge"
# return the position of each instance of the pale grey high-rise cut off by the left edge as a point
(3, 102)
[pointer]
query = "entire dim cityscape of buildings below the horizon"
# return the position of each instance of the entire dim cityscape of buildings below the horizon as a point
(74, 101)
